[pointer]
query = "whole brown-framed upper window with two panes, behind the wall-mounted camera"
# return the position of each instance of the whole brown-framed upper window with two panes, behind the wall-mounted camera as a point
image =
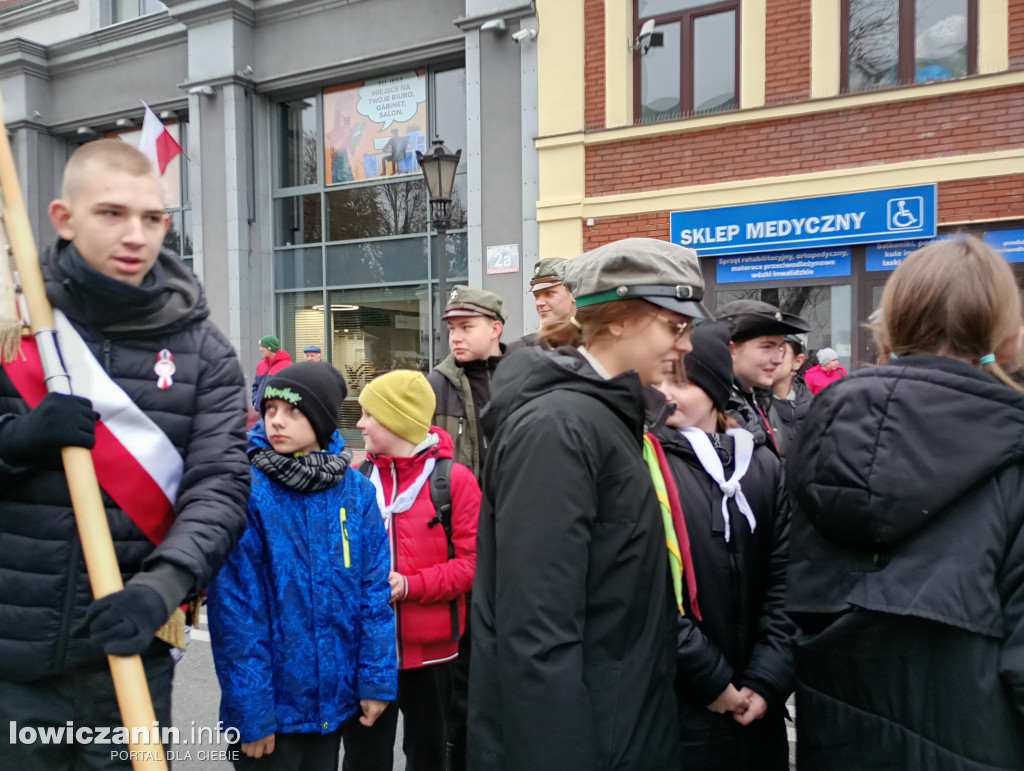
(695, 69)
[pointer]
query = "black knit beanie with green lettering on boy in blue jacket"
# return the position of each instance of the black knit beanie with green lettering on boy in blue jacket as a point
(315, 389)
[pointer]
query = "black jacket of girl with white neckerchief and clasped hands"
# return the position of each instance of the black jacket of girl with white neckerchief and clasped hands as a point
(745, 635)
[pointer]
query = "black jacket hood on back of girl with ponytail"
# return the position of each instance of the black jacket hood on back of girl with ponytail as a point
(883, 451)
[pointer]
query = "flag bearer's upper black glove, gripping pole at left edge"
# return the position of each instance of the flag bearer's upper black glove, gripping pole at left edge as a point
(58, 421)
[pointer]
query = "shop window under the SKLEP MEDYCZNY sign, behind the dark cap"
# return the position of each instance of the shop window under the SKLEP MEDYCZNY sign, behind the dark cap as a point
(827, 309)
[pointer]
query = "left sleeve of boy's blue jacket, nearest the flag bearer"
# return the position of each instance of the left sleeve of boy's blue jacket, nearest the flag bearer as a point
(240, 632)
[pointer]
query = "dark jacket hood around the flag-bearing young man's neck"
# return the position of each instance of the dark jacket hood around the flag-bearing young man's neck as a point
(184, 302)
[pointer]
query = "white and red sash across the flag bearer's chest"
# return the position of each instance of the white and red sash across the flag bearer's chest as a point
(136, 462)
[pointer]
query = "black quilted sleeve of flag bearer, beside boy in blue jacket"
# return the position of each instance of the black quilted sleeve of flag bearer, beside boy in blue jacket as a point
(215, 489)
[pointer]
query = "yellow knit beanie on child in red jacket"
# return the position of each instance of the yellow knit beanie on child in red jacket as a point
(403, 402)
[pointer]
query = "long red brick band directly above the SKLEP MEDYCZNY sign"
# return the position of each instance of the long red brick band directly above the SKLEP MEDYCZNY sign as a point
(952, 125)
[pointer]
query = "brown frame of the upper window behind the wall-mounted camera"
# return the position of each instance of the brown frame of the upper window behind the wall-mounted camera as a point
(687, 19)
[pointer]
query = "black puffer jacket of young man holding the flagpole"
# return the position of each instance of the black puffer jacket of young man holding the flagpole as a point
(45, 589)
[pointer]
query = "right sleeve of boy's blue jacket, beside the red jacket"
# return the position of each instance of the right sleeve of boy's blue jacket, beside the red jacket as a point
(378, 667)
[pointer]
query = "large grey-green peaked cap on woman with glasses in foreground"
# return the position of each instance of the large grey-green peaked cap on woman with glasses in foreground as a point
(664, 274)
